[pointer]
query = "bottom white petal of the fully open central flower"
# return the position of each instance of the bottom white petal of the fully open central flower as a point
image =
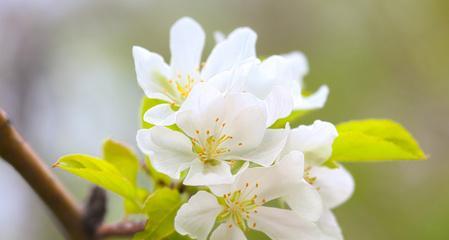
(201, 174)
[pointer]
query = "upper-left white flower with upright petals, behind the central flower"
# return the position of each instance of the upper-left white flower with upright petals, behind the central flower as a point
(174, 82)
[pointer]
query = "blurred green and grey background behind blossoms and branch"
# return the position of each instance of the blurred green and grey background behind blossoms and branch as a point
(67, 81)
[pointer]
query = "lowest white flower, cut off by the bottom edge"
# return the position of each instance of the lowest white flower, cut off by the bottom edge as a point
(240, 206)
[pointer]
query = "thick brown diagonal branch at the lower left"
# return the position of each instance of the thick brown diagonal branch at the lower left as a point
(17, 153)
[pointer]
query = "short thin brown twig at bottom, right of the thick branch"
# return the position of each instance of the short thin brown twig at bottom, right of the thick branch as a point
(121, 229)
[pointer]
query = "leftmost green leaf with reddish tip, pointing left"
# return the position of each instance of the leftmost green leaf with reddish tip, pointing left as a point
(98, 171)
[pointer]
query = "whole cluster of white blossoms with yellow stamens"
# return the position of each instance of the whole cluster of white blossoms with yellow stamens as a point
(213, 130)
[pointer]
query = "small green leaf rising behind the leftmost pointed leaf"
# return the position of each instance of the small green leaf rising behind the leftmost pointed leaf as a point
(123, 158)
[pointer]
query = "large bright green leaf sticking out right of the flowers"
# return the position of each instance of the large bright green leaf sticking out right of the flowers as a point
(374, 140)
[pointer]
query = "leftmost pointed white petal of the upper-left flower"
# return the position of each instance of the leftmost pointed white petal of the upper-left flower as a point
(152, 73)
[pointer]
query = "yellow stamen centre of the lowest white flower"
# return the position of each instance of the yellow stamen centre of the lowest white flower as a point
(239, 205)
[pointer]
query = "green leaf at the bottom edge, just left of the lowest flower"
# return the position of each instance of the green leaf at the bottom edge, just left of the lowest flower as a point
(161, 208)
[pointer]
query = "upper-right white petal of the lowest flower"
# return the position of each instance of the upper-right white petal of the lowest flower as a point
(273, 182)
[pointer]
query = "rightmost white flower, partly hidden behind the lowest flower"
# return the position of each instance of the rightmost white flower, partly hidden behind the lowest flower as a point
(335, 186)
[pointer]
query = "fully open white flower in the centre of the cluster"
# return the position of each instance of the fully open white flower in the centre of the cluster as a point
(218, 129)
